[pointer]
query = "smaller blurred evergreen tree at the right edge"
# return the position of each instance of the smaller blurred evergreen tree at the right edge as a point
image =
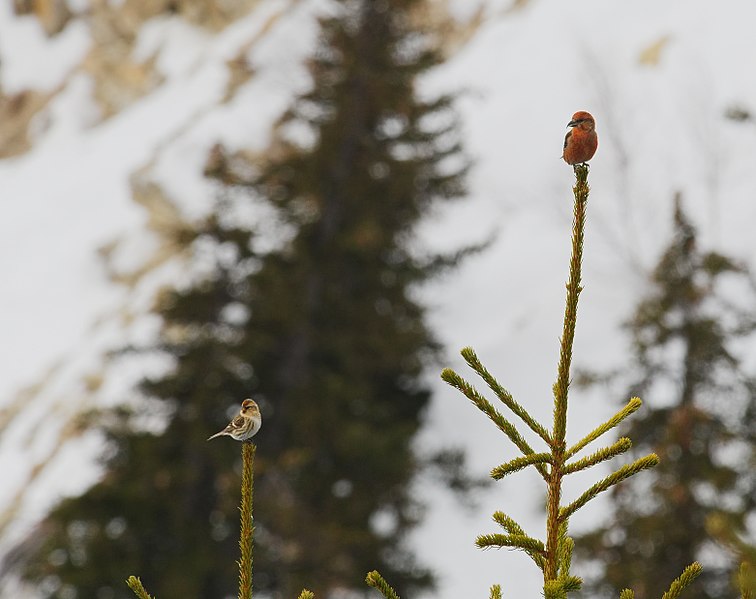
(698, 418)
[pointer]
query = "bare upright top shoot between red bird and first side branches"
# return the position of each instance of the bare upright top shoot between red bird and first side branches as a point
(561, 386)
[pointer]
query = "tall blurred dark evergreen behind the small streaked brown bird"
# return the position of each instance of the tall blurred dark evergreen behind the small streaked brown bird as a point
(323, 331)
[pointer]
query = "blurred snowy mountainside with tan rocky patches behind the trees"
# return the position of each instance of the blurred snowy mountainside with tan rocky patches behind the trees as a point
(110, 108)
